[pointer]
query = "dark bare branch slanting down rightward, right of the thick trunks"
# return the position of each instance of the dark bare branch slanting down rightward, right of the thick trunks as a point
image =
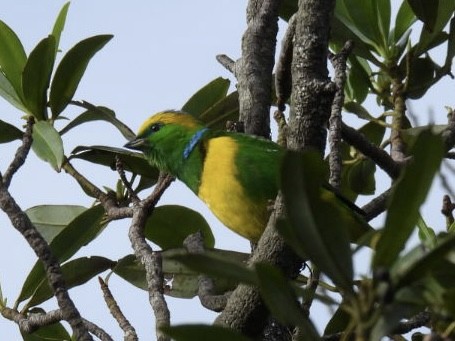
(377, 155)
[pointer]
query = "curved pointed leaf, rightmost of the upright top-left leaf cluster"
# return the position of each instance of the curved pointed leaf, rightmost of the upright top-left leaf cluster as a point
(70, 71)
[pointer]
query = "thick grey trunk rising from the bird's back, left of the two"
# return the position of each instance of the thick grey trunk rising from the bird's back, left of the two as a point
(254, 69)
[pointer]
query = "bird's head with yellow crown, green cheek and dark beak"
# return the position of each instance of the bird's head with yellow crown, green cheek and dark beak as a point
(165, 138)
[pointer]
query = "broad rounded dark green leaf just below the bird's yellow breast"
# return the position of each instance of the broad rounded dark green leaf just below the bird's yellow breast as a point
(169, 225)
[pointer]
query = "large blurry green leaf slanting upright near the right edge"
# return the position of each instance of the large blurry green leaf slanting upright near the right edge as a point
(407, 198)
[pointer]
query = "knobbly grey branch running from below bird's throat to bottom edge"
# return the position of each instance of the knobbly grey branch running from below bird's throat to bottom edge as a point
(151, 260)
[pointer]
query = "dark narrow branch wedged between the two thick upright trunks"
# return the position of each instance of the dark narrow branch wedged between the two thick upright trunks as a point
(283, 75)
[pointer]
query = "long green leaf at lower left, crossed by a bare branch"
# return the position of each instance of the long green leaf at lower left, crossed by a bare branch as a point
(81, 231)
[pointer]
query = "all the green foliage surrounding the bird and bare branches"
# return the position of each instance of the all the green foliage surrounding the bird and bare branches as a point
(386, 63)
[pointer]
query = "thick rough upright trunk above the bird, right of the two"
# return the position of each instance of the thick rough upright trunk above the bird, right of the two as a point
(312, 92)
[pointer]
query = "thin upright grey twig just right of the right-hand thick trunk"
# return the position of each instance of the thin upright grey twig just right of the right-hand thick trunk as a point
(335, 160)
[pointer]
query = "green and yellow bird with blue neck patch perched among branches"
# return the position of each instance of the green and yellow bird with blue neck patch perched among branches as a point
(236, 175)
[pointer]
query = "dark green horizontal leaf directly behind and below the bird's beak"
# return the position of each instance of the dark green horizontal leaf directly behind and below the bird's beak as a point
(103, 155)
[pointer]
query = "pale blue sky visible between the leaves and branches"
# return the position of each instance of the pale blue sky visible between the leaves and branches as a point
(162, 52)
